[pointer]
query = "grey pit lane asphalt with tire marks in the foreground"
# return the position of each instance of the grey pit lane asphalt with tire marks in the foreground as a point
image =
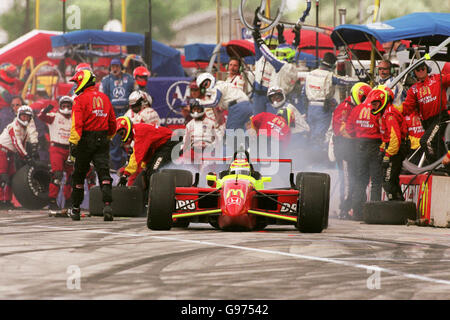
(44, 257)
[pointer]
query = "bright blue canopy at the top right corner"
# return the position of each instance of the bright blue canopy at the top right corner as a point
(425, 28)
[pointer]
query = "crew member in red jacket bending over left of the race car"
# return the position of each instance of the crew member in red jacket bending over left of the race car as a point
(153, 147)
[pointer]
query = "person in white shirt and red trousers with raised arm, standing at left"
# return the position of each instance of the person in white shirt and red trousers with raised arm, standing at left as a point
(59, 124)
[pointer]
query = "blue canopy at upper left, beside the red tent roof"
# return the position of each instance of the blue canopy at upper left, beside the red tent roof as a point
(165, 60)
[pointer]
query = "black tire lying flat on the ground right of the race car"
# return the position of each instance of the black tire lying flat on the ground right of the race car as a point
(389, 212)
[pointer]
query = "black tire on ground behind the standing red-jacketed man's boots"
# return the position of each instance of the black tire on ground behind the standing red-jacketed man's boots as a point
(127, 201)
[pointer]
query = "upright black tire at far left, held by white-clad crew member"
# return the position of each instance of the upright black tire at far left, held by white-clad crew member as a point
(30, 186)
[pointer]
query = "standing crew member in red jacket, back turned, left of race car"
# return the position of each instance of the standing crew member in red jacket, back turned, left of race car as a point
(93, 126)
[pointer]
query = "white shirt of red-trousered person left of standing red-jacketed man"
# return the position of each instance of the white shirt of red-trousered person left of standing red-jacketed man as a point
(58, 126)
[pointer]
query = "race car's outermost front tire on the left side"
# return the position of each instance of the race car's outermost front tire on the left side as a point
(161, 201)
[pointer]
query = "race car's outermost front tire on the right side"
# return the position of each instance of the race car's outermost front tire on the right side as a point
(314, 201)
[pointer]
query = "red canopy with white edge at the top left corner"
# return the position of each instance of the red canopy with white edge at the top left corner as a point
(35, 43)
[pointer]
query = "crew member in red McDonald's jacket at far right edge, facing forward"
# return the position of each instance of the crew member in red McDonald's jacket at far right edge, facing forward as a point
(428, 97)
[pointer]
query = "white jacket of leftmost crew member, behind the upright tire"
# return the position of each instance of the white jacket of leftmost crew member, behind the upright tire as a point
(14, 137)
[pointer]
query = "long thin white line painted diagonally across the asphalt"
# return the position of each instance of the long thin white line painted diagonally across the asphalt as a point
(293, 255)
